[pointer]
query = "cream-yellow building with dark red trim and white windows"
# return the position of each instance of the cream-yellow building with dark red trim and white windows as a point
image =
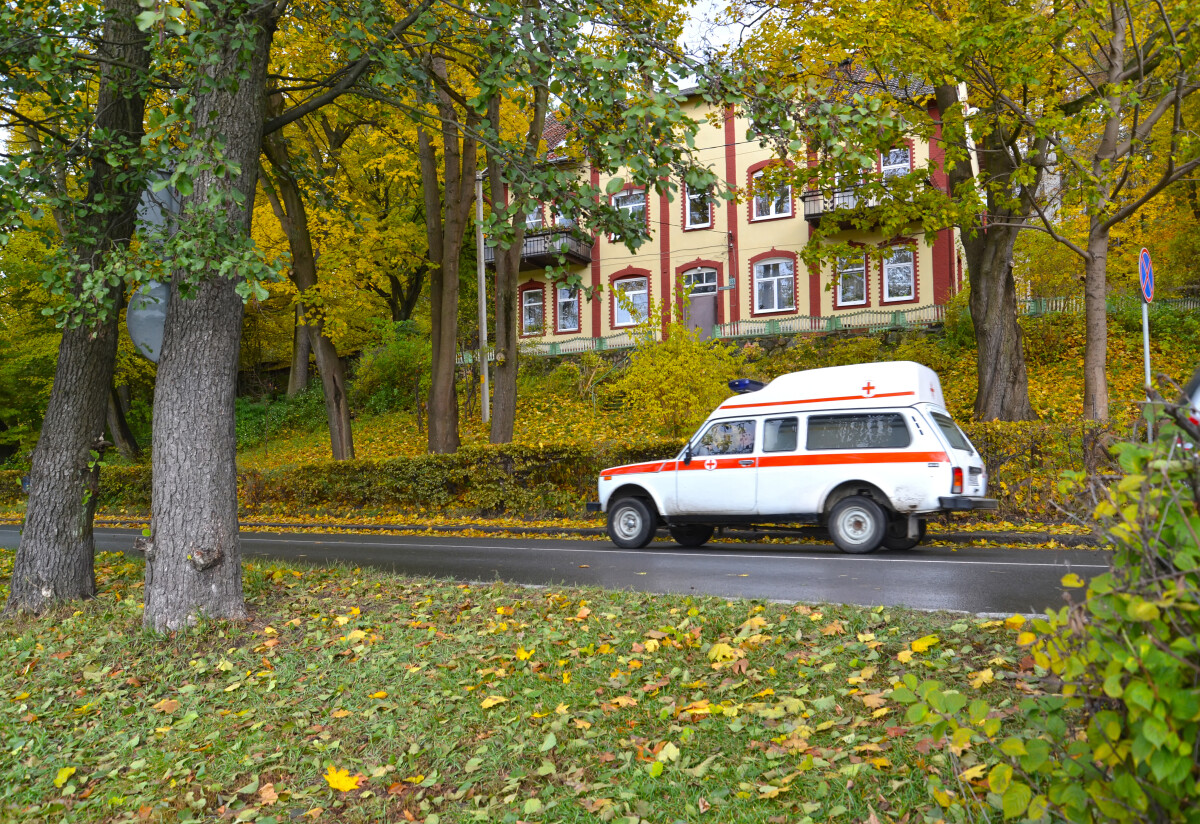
(733, 269)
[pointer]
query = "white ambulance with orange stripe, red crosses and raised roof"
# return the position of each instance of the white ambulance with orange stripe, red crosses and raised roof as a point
(867, 452)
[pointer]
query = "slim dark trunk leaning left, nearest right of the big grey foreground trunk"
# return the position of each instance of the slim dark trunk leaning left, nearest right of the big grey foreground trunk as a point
(295, 220)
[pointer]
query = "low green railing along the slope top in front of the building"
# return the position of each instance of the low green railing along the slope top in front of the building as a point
(871, 321)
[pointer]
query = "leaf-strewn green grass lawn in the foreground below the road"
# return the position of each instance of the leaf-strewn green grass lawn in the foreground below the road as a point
(358, 696)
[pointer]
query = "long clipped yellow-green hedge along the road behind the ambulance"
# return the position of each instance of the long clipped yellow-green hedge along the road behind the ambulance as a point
(1024, 462)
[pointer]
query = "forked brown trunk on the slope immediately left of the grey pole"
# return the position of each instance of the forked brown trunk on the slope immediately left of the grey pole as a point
(446, 225)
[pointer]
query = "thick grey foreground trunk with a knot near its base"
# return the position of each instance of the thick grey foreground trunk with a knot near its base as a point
(194, 560)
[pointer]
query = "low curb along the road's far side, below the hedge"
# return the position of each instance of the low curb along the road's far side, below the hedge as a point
(998, 538)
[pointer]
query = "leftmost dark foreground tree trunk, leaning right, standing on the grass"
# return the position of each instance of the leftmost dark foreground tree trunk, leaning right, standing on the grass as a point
(56, 556)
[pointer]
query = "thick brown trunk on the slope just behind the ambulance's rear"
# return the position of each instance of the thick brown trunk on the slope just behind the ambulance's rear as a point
(1004, 389)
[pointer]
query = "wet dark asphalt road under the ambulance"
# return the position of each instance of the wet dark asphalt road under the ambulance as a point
(977, 580)
